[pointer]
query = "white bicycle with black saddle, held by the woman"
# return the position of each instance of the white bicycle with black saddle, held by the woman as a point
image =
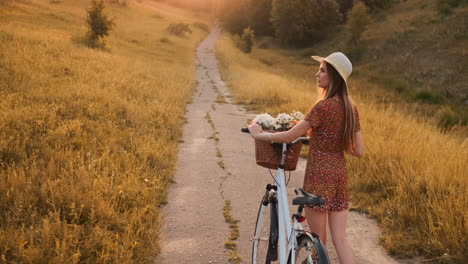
(273, 223)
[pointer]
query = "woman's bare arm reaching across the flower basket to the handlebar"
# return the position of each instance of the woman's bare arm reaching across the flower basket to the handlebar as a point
(280, 137)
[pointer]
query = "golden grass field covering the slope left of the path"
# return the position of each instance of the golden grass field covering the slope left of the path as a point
(88, 138)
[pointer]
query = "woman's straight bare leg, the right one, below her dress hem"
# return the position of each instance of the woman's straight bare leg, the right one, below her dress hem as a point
(337, 222)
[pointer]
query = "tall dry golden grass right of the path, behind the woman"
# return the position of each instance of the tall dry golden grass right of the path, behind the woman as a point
(412, 177)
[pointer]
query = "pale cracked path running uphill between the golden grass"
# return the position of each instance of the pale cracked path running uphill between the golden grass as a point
(216, 164)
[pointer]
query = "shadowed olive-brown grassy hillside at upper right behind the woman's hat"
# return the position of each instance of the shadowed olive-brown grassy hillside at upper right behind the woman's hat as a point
(409, 54)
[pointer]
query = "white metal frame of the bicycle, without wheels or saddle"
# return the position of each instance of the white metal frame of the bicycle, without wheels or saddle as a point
(286, 243)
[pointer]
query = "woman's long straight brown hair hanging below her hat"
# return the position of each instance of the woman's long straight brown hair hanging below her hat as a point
(337, 86)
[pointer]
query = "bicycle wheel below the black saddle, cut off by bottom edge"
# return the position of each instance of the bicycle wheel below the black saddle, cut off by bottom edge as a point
(310, 250)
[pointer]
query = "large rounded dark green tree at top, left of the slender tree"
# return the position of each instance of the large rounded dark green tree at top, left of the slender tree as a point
(301, 22)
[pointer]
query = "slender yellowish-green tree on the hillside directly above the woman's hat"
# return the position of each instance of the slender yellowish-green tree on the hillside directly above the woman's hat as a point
(358, 20)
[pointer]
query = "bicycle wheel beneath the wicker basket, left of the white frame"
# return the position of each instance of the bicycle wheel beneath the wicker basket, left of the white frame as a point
(265, 242)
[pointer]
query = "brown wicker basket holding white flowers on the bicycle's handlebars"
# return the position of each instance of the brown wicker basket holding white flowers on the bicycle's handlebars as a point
(268, 155)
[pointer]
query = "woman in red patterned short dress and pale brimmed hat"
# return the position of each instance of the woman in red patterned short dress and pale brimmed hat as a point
(334, 121)
